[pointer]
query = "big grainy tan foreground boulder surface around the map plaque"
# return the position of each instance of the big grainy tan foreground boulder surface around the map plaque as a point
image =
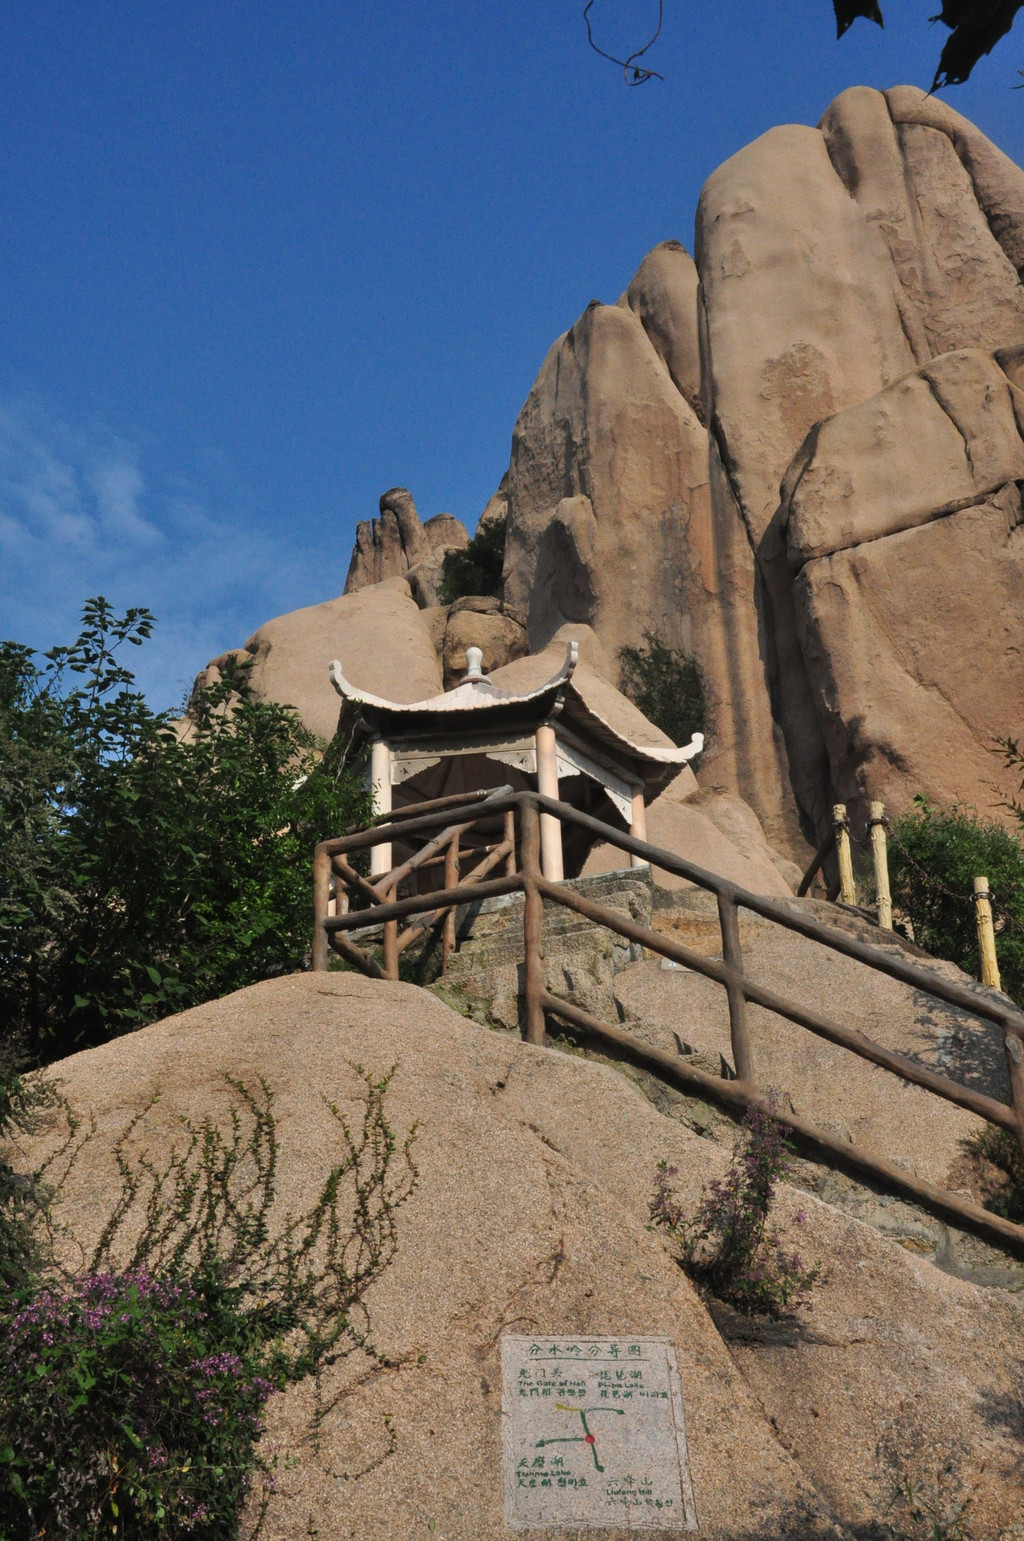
(535, 1173)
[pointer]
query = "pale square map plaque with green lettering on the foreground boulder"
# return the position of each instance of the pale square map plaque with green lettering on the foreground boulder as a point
(594, 1435)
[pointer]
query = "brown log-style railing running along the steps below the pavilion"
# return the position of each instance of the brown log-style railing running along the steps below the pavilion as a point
(330, 932)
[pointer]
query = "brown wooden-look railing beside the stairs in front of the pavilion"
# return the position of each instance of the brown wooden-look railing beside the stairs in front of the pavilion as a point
(518, 818)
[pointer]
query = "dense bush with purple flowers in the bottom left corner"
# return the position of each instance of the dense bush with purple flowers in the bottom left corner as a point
(133, 1408)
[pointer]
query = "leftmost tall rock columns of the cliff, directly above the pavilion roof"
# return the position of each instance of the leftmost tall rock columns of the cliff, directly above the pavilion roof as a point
(609, 471)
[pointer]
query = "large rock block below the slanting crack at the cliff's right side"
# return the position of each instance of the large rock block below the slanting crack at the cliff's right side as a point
(911, 700)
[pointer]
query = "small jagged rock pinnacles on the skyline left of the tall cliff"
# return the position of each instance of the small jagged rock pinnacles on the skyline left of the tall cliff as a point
(400, 546)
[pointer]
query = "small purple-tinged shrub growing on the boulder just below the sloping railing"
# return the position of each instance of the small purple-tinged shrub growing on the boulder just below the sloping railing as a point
(728, 1246)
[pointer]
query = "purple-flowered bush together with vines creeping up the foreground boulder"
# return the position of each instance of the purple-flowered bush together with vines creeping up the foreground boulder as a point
(132, 1398)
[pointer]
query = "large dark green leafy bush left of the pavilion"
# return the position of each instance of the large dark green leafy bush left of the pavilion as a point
(141, 875)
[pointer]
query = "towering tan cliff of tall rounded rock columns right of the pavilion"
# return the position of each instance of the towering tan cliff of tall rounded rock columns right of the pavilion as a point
(860, 329)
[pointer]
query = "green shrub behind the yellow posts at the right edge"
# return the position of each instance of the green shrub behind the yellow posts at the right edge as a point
(934, 859)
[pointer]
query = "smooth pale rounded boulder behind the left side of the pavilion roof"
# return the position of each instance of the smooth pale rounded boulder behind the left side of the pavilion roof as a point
(376, 633)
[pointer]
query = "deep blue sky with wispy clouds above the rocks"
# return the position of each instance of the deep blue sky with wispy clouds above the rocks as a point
(263, 261)
